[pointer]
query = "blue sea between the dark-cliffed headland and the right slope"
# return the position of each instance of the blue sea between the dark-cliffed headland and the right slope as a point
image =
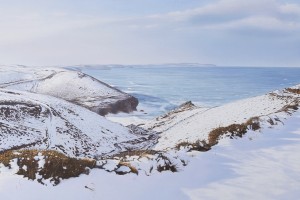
(162, 88)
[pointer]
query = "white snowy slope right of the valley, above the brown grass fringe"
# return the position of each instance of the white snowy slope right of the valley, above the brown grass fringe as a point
(191, 123)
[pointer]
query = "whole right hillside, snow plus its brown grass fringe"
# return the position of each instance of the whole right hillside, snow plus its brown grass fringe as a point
(193, 124)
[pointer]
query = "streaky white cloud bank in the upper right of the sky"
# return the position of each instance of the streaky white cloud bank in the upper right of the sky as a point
(237, 14)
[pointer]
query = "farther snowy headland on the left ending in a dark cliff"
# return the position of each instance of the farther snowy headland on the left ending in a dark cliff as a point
(69, 85)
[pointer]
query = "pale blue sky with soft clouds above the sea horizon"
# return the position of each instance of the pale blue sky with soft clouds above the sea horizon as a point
(221, 32)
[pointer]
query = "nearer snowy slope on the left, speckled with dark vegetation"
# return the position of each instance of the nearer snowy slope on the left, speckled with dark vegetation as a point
(31, 120)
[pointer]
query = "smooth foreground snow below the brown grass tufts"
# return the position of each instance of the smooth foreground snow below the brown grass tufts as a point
(261, 165)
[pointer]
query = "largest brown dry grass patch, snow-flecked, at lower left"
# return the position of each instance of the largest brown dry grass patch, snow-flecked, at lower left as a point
(57, 166)
